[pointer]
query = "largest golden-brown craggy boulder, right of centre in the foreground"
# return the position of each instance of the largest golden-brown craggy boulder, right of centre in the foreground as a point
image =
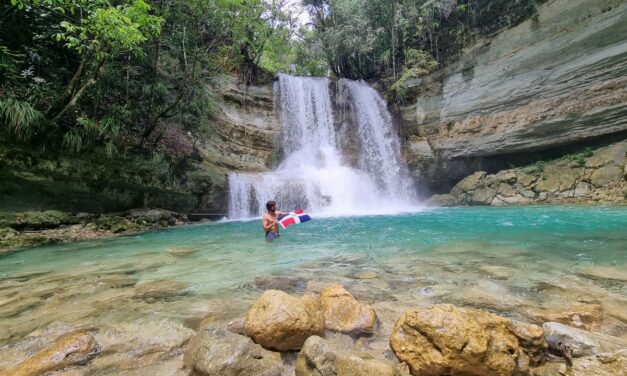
(463, 341)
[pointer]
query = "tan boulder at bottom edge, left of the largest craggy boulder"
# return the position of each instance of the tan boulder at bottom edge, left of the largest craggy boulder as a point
(319, 357)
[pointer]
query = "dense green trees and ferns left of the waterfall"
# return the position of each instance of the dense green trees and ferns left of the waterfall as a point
(129, 74)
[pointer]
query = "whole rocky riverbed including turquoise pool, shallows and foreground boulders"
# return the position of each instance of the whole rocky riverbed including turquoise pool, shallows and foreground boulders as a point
(447, 291)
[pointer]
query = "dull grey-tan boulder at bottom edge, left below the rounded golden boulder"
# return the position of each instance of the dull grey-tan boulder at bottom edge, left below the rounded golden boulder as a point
(217, 351)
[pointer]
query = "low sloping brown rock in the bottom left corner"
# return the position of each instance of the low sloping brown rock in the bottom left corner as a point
(67, 350)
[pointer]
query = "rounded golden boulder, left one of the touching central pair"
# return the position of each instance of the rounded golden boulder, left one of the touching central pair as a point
(282, 322)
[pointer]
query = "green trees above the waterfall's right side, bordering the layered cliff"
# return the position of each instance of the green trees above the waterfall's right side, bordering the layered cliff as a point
(398, 40)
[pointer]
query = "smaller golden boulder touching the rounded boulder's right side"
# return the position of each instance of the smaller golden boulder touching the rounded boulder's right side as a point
(343, 313)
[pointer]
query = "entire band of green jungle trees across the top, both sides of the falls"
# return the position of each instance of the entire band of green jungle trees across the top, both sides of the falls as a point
(130, 74)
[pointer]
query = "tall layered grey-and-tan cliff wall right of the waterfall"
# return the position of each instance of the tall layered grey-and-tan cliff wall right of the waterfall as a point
(553, 80)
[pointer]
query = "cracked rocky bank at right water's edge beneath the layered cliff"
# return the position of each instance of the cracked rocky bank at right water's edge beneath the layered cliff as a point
(586, 177)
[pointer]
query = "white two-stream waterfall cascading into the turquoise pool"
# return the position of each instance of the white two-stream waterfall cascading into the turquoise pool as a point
(314, 173)
